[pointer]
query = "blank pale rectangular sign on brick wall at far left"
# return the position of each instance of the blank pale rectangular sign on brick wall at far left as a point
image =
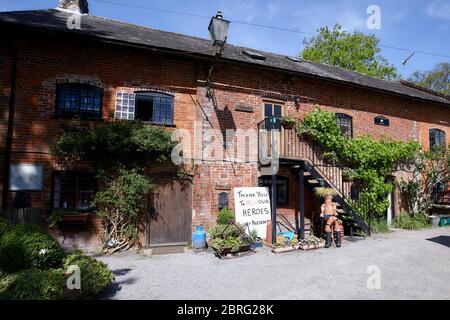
(26, 177)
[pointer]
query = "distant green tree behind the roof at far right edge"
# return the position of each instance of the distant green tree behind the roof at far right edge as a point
(437, 79)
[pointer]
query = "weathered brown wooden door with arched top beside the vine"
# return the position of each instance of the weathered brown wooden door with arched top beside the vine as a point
(170, 217)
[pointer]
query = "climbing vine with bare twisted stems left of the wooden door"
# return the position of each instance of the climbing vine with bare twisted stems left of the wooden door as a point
(121, 152)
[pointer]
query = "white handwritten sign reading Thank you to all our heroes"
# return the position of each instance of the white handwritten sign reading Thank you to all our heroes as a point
(252, 209)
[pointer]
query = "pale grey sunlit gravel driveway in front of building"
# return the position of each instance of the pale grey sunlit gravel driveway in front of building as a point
(413, 265)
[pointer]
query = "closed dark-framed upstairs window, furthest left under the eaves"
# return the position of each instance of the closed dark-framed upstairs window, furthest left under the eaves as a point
(79, 100)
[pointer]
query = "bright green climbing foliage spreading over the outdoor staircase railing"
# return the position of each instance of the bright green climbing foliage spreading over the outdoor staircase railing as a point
(370, 160)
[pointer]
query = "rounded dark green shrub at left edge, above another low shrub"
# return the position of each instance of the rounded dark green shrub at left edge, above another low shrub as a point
(29, 246)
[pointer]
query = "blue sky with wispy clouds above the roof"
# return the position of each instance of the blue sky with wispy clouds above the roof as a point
(414, 24)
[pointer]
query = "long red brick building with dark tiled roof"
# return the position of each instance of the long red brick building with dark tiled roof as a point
(107, 70)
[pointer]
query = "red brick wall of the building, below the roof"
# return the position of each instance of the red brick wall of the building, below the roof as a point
(44, 62)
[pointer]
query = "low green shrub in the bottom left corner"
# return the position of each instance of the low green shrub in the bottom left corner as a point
(32, 284)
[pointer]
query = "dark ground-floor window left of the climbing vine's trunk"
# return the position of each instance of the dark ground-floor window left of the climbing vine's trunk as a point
(73, 190)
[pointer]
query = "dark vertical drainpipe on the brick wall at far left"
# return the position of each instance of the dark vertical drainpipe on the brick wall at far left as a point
(10, 131)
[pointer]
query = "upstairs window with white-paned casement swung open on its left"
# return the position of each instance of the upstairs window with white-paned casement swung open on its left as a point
(151, 107)
